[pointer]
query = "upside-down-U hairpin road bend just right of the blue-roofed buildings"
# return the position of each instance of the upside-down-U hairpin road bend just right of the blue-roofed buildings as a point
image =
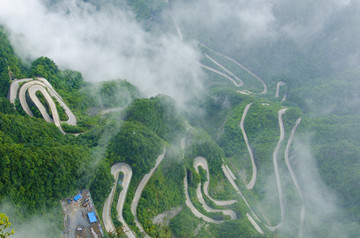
(109, 226)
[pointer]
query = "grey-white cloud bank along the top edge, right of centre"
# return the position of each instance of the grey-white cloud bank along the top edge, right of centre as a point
(241, 23)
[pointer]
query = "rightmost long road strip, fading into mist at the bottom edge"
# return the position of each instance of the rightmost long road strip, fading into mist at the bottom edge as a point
(302, 213)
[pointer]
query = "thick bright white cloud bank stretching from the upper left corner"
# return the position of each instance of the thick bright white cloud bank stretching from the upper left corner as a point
(103, 42)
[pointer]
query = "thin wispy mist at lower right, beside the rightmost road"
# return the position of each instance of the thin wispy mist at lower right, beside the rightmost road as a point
(324, 217)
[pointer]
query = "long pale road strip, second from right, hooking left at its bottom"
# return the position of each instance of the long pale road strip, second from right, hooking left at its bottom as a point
(276, 167)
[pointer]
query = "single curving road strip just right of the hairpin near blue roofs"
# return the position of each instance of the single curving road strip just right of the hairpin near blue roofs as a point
(141, 187)
